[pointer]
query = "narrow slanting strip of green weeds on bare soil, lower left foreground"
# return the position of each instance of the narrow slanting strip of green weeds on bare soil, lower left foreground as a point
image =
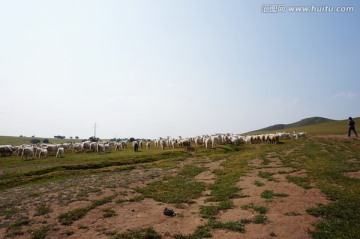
(69, 217)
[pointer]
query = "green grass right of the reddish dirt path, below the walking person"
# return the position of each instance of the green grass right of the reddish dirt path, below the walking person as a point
(326, 161)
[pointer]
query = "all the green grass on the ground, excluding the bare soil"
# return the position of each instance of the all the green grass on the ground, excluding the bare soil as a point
(325, 160)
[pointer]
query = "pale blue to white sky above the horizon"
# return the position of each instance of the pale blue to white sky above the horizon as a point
(158, 68)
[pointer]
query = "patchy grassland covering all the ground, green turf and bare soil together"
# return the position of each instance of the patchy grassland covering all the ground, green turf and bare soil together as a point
(90, 194)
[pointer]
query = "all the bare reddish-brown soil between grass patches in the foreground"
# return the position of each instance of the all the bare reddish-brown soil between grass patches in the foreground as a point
(287, 217)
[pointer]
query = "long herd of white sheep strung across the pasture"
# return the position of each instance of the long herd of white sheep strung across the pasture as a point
(58, 150)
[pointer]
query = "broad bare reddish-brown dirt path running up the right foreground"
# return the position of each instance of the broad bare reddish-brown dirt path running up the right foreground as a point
(286, 215)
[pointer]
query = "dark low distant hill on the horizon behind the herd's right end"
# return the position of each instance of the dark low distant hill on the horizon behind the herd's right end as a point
(301, 123)
